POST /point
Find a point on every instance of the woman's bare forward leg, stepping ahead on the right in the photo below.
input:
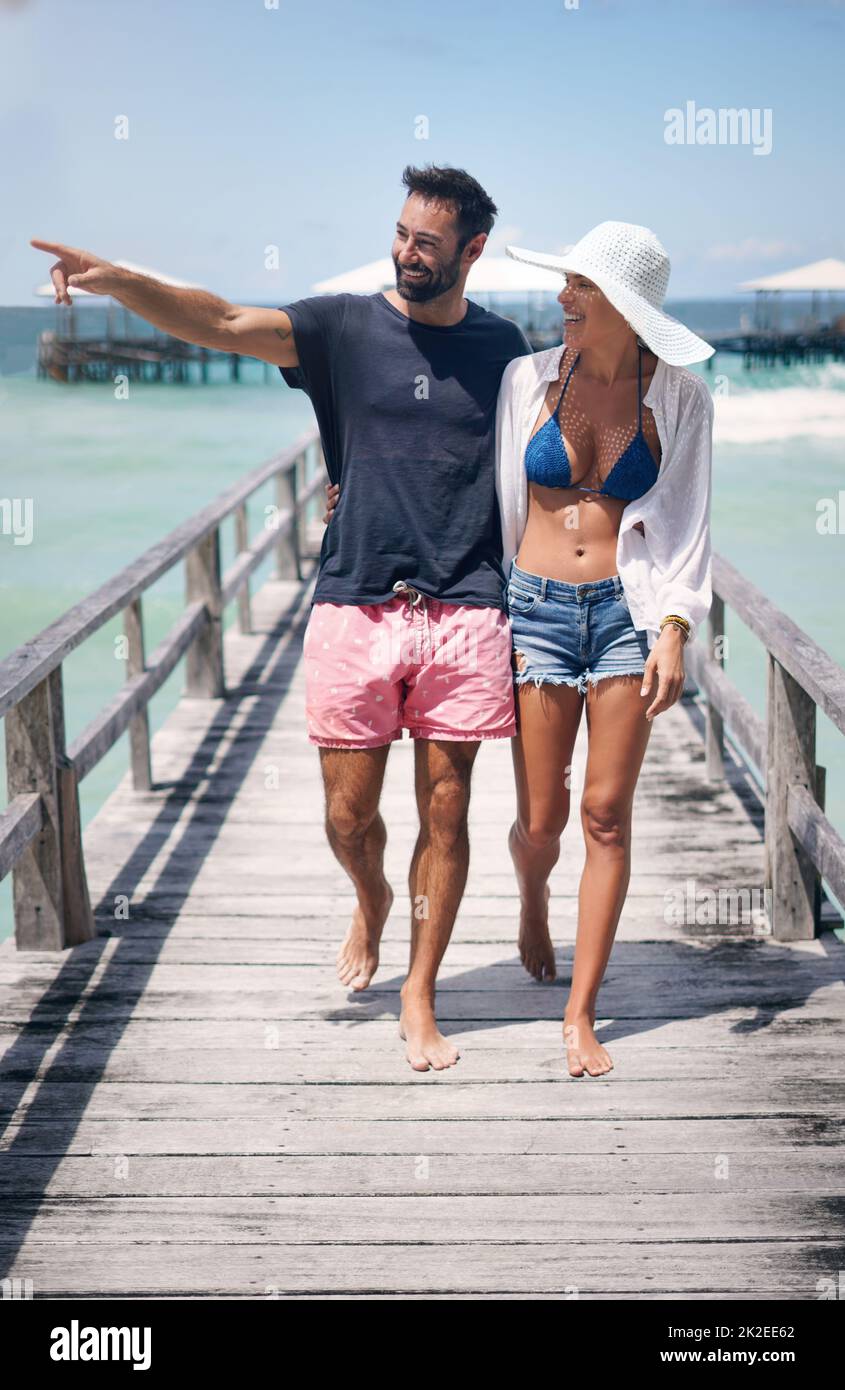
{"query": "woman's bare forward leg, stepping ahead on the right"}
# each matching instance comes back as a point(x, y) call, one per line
point(619, 735)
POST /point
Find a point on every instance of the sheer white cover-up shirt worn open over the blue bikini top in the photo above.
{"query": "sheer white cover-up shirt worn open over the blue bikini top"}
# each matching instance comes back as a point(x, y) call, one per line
point(669, 568)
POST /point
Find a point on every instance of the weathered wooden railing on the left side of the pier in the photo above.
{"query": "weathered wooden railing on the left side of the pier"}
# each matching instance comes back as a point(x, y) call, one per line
point(41, 839)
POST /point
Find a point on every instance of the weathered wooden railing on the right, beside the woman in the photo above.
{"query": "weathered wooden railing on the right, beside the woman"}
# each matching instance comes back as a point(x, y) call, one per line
point(801, 846)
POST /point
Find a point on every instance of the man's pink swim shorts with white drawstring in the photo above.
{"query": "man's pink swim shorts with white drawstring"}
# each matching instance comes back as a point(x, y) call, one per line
point(441, 671)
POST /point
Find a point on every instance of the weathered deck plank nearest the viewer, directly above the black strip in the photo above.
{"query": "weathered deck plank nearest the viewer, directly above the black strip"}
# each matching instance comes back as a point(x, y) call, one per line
point(249, 1271)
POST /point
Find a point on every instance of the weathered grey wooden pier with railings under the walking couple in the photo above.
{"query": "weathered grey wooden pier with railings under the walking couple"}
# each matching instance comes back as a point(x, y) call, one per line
point(195, 1107)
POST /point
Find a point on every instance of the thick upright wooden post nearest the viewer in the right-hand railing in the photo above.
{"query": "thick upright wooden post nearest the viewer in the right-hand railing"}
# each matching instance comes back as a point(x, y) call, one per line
point(791, 760)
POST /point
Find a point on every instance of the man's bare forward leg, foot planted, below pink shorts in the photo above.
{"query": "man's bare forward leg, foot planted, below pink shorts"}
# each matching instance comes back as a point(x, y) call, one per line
point(437, 881)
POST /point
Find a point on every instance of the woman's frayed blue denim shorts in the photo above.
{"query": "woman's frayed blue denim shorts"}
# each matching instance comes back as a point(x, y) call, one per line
point(572, 635)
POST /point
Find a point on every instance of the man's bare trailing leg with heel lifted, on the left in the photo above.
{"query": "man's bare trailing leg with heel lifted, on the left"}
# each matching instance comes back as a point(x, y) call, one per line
point(352, 779)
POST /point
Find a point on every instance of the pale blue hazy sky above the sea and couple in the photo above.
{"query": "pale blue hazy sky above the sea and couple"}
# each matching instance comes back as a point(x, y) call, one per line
point(256, 126)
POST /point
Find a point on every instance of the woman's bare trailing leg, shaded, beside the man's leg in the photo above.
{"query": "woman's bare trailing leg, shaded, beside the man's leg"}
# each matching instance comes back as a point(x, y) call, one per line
point(543, 755)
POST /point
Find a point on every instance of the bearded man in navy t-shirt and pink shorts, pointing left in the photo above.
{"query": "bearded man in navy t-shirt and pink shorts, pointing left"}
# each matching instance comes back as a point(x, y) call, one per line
point(408, 625)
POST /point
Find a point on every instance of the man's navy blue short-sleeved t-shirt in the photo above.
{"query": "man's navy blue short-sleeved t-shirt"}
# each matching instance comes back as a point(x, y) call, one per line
point(407, 418)
